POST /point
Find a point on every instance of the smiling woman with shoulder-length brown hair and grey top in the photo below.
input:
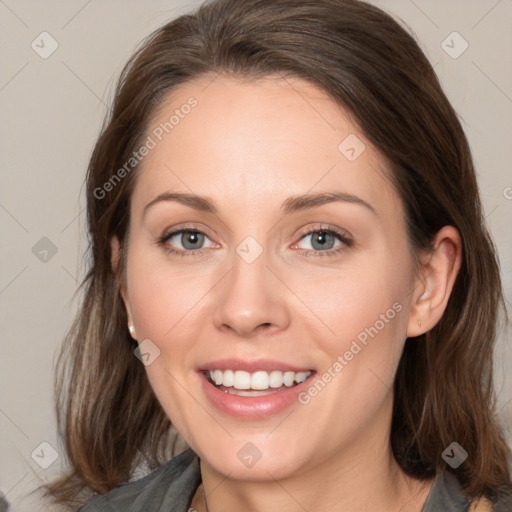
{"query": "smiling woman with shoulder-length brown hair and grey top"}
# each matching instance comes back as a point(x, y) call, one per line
point(289, 265)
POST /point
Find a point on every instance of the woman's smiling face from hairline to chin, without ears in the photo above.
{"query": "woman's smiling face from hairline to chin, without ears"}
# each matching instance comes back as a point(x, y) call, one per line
point(253, 297)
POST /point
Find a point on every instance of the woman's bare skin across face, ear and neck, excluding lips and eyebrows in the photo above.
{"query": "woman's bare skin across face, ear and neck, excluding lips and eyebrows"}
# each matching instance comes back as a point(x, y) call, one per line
point(249, 145)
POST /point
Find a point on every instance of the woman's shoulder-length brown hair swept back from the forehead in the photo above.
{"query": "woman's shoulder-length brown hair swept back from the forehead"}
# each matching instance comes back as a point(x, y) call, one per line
point(108, 415)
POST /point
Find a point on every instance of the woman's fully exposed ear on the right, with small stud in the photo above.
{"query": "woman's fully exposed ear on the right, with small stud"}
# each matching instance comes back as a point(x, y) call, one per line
point(439, 269)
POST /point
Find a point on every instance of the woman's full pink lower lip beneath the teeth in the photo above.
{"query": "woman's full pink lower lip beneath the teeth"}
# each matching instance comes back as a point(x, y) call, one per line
point(252, 407)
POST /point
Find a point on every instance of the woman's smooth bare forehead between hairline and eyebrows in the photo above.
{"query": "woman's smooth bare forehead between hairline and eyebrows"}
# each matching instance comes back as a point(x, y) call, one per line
point(252, 141)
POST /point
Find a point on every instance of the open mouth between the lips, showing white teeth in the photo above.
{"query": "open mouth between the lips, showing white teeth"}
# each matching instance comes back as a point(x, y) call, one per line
point(259, 383)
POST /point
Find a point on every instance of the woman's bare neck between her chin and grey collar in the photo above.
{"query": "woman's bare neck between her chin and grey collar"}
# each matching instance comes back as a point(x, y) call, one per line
point(360, 483)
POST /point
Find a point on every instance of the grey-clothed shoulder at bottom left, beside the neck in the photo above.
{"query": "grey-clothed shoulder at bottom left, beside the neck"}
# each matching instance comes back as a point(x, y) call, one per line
point(169, 487)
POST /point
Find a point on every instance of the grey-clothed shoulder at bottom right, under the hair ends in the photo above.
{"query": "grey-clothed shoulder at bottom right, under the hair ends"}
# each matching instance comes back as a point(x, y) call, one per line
point(447, 495)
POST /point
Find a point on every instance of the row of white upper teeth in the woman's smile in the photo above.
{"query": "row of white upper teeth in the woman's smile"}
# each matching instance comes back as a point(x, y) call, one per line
point(259, 380)
